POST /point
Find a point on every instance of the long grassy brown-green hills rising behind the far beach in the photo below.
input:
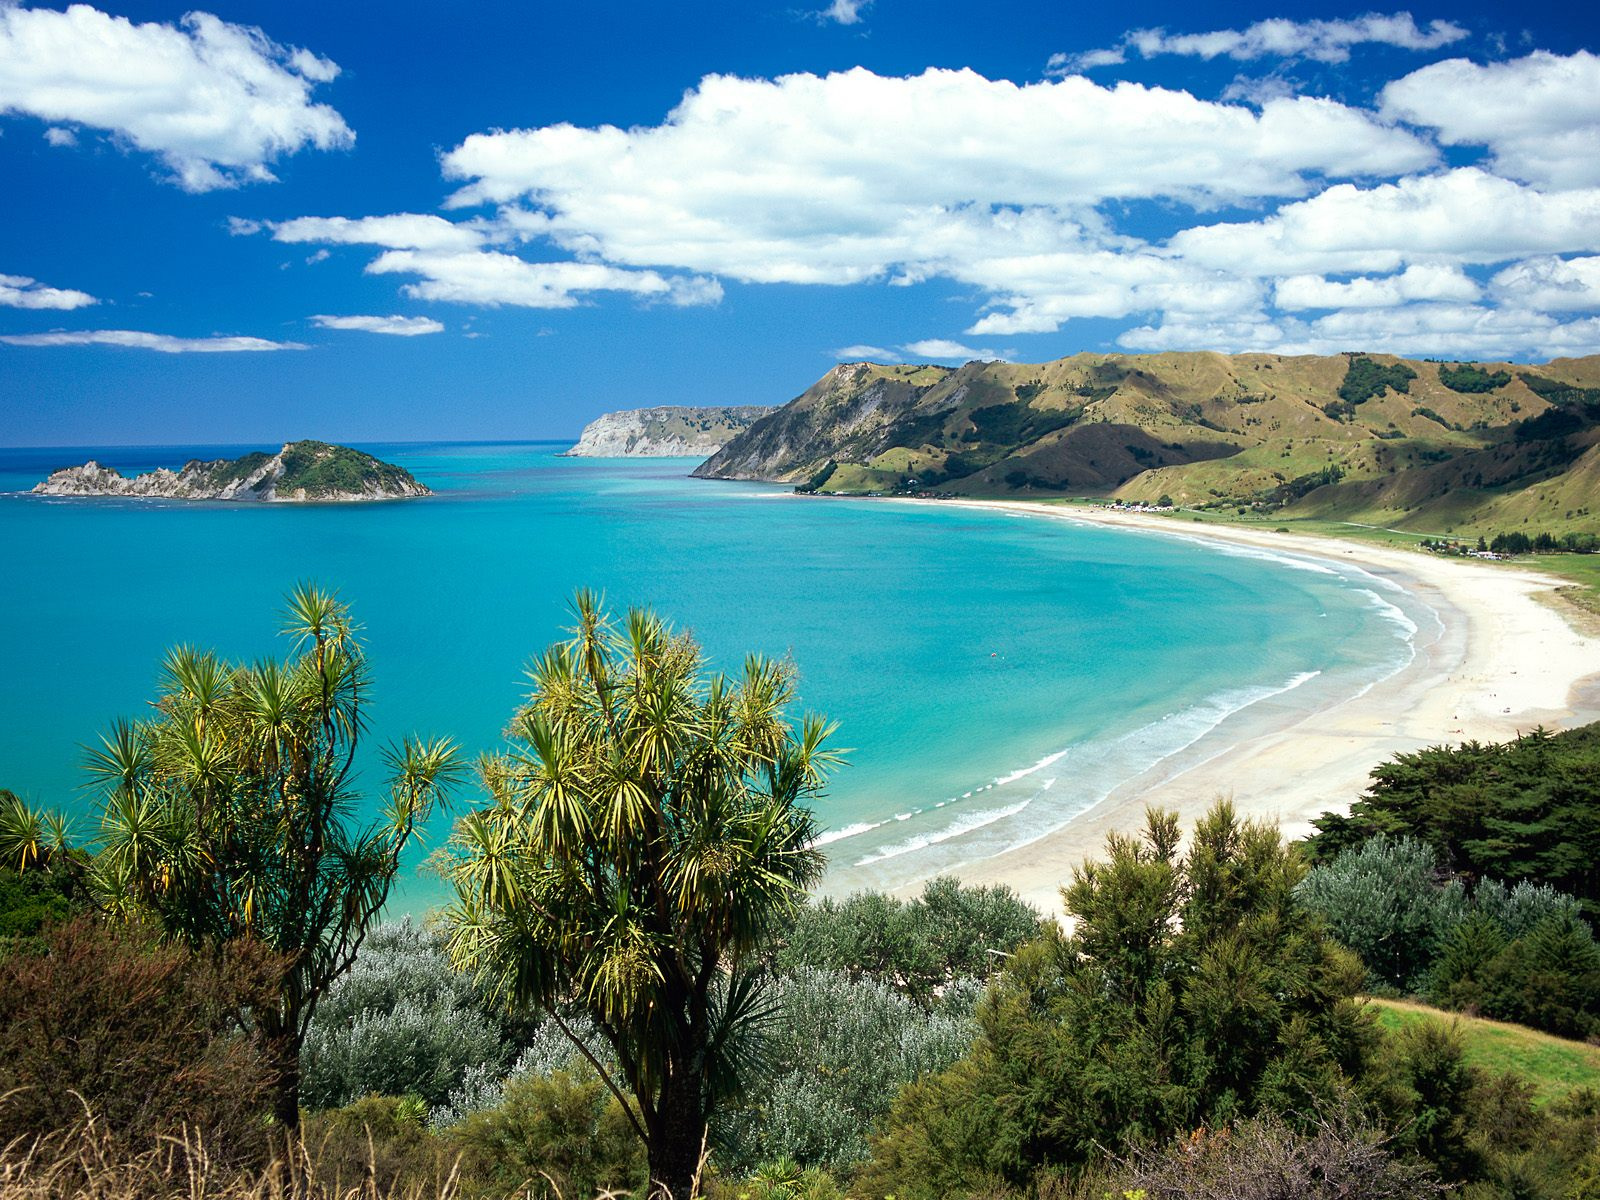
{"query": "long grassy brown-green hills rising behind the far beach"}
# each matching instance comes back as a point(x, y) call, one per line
point(1369, 438)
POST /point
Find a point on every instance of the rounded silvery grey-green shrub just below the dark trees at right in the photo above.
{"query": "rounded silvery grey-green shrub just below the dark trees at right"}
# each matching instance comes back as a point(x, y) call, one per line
point(1393, 903)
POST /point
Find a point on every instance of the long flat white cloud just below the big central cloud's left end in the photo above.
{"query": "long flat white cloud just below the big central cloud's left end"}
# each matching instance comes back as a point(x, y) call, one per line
point(492, 278)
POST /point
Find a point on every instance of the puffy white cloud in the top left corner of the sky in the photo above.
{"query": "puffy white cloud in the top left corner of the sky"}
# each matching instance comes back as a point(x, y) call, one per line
point(215, 102)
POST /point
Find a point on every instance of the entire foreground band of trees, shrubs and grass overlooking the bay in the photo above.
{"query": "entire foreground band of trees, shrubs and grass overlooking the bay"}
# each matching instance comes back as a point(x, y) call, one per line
point(633, 991)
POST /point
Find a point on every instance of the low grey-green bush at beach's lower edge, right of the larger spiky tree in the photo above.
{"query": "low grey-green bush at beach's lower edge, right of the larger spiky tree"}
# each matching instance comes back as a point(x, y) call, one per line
point(914, 946)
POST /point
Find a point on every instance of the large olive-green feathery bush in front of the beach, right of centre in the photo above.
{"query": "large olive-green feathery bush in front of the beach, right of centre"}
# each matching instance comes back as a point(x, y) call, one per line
point(1191, 991)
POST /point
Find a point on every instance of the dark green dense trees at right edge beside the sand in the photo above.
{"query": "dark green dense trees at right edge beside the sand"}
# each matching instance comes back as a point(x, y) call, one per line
point(1522, 810)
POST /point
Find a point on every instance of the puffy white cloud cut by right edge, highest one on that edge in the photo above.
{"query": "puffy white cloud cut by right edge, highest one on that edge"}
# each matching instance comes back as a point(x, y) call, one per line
point(1540, 116)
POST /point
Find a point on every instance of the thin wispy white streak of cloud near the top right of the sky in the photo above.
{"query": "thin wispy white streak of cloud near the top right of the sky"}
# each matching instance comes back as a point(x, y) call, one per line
point(1278, 38)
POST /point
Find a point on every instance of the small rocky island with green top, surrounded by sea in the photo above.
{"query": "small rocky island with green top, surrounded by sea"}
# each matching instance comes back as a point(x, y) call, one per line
point(302, 471)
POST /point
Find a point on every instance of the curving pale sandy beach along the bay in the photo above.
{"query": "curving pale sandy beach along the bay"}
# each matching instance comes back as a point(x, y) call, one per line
point(1502, 662)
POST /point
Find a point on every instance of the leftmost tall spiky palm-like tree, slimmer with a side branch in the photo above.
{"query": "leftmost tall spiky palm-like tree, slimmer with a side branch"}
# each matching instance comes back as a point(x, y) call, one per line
point(231, 814)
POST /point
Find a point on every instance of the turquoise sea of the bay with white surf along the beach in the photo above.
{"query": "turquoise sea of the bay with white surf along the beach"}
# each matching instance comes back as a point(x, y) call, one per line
point(991, 674)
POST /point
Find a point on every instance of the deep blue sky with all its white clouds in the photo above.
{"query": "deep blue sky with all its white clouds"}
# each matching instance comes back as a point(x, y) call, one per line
point(255, 222)
